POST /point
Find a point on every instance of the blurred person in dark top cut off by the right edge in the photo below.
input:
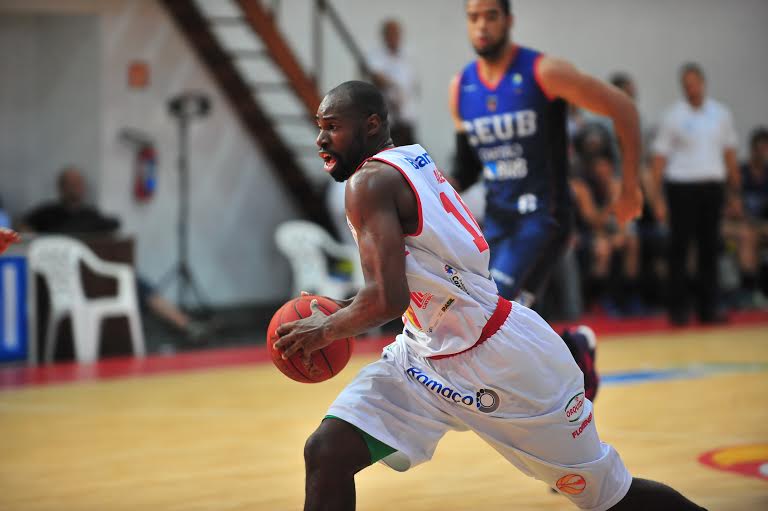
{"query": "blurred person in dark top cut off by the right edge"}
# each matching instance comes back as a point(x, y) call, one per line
point(747, 225)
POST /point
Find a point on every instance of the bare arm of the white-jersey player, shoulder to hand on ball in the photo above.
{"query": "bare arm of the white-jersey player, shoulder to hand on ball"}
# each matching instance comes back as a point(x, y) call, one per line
point(376, 202)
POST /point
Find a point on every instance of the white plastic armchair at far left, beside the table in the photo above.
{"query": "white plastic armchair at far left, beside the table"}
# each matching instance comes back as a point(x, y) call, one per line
point(57, 259)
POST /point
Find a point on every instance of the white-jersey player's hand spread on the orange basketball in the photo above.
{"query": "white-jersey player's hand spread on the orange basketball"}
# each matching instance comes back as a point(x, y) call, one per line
point(304, 335)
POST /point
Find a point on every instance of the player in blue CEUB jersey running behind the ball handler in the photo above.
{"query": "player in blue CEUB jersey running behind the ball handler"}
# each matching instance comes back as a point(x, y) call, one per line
point(509, 111)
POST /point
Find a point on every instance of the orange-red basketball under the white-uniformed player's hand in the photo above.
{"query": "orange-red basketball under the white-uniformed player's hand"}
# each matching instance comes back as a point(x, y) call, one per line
point(331, 359)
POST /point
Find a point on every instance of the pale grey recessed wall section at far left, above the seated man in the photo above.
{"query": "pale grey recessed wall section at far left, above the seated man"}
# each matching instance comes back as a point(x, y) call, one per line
point(49, 104)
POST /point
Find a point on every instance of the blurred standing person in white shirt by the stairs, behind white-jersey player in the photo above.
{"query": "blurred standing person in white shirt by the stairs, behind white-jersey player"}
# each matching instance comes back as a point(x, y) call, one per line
point(393, 74)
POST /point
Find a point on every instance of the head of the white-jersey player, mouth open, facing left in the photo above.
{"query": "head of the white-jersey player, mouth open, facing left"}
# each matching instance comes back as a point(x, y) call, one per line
point(353, 126)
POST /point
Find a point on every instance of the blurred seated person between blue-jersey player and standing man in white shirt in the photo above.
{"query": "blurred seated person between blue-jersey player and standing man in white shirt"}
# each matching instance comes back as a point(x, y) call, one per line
point(609, 255)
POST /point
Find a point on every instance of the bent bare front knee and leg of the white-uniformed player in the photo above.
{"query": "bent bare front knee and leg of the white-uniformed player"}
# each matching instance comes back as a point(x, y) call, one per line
point(333, 454)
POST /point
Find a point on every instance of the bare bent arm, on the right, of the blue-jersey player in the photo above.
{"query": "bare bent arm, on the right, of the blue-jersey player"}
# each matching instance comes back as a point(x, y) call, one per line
point(560, 78)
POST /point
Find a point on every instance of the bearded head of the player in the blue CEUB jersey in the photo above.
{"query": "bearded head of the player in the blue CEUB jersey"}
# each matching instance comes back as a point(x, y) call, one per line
point(488, 24)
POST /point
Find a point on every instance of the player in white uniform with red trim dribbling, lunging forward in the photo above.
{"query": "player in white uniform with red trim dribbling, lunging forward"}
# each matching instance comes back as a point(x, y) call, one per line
point(467, 359)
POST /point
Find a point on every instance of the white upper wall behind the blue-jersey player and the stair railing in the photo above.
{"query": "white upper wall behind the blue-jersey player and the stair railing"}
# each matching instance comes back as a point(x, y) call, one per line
point(649, 39)
